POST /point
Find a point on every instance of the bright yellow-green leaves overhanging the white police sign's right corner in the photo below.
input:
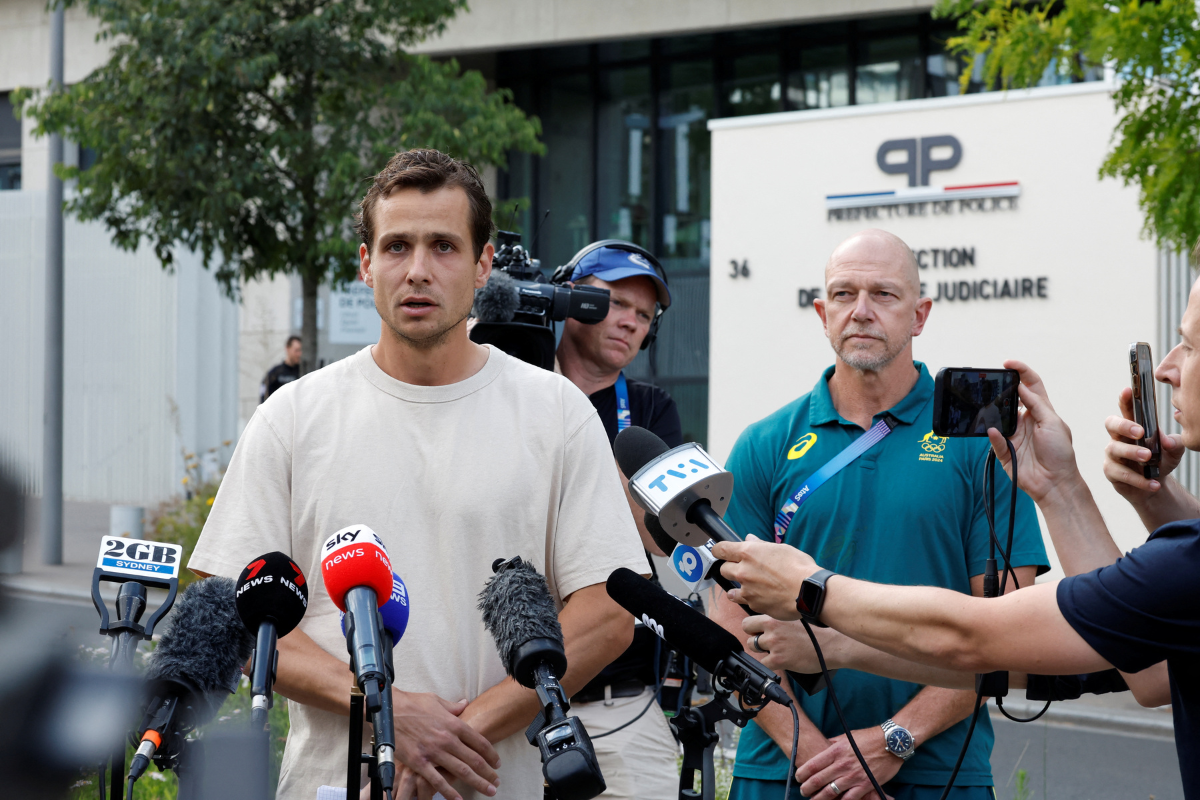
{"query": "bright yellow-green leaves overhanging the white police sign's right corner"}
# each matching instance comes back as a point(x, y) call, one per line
point(1154, 50)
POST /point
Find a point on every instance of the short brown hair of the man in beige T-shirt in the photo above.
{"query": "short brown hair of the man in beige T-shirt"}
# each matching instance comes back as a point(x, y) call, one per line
point(428, 171)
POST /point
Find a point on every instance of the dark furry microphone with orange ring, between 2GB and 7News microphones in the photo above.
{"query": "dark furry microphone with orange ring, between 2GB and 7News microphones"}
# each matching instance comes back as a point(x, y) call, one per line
point(195, 666)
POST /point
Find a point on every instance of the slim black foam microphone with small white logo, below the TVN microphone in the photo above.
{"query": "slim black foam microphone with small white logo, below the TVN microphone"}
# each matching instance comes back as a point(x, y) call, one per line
point(697, 636)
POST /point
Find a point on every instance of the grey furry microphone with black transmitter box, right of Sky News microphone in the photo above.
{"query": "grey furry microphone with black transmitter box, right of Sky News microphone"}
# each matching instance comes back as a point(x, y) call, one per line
point(520, 615)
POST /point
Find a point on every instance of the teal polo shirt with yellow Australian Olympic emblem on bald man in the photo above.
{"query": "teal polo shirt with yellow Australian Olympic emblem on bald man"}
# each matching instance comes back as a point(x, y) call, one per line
point(909, 512)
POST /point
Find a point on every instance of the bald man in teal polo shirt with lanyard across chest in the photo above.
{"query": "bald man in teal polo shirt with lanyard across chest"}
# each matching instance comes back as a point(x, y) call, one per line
point(910, 512)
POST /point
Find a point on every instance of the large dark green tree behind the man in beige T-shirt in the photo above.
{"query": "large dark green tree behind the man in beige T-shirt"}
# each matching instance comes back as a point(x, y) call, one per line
point(244, 129)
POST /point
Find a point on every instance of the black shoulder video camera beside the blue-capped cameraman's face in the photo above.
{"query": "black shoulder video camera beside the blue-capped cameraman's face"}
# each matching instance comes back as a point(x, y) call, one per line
point(518, 309)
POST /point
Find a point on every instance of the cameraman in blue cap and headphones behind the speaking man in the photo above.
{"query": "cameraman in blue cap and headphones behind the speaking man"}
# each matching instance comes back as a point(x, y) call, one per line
point(640, 760)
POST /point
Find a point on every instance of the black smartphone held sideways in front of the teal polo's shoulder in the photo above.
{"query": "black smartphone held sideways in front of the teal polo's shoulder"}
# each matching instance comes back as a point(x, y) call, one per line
point(969, 401)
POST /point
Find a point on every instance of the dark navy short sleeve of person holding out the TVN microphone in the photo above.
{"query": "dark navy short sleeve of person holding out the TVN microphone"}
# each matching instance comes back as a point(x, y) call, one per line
point(1147, 606)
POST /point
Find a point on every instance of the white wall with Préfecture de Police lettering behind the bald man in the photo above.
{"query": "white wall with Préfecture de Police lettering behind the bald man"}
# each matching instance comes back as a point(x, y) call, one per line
point(771, 176)
